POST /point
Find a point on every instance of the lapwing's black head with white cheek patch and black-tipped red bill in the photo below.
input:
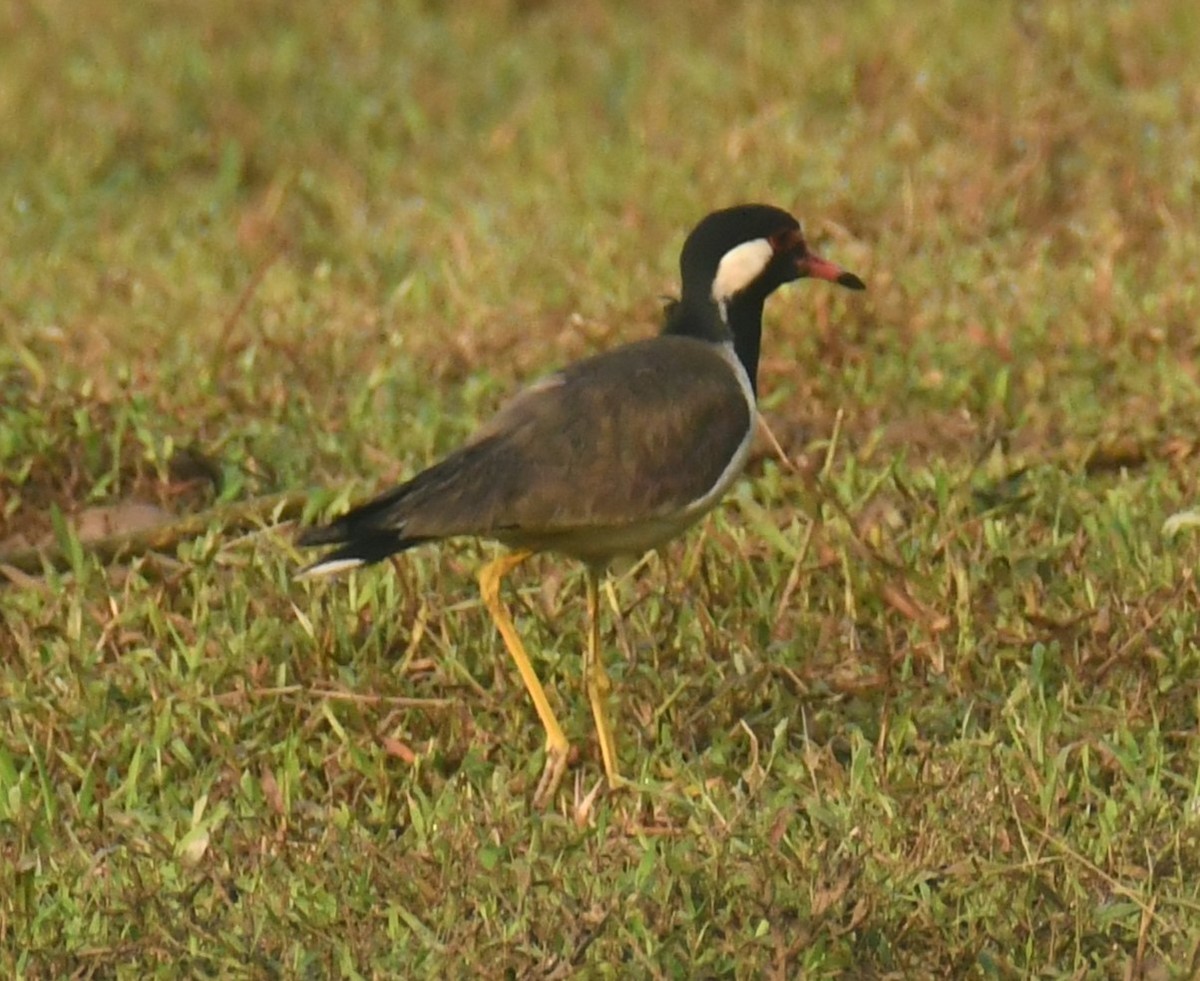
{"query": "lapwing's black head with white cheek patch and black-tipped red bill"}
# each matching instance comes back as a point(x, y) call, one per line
point(751, 249)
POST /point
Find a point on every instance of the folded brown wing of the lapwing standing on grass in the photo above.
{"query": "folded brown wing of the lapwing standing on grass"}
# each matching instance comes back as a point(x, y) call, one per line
point(635, 434)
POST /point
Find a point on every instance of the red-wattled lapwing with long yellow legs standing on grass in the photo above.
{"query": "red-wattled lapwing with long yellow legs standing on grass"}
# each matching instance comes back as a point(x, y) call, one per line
point(610, 458)
